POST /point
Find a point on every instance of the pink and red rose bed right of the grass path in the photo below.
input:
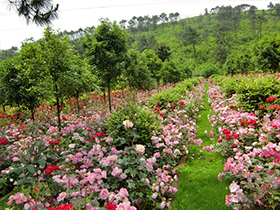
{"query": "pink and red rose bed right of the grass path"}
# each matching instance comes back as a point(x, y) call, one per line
point(249, 141)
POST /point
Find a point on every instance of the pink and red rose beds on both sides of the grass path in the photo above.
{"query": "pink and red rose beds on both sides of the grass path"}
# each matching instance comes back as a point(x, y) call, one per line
point(128, 159)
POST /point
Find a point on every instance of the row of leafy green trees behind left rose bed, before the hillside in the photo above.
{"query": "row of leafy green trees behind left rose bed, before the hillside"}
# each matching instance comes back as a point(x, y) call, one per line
point(49, 70)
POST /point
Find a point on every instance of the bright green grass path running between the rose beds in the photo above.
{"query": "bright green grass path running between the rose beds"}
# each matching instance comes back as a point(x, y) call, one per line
point(199, 187)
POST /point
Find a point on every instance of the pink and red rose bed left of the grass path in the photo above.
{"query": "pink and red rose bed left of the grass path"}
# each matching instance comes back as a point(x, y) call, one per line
point(123, 160)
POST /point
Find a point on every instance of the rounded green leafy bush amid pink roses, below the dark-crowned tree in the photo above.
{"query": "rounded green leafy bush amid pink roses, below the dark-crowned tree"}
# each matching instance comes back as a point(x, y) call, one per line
point(144, 124)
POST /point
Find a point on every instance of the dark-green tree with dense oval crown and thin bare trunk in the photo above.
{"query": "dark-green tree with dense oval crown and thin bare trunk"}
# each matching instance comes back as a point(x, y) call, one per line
point(106, 50)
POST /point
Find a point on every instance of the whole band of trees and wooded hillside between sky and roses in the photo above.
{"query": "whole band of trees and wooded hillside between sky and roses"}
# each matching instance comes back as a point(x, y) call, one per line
point(68, 64)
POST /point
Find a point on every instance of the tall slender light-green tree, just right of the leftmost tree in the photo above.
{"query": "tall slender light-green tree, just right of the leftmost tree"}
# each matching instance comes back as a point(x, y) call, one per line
point(58, 59)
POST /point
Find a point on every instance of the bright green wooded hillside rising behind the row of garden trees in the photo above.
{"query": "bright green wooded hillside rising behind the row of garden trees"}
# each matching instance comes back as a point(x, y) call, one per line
point(229, 38)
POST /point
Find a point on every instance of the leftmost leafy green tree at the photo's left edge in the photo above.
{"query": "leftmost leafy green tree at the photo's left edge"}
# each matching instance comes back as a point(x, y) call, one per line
point(22, 78)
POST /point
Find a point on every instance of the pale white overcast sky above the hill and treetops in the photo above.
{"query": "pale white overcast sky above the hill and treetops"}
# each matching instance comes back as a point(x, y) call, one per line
point(75, 14)
